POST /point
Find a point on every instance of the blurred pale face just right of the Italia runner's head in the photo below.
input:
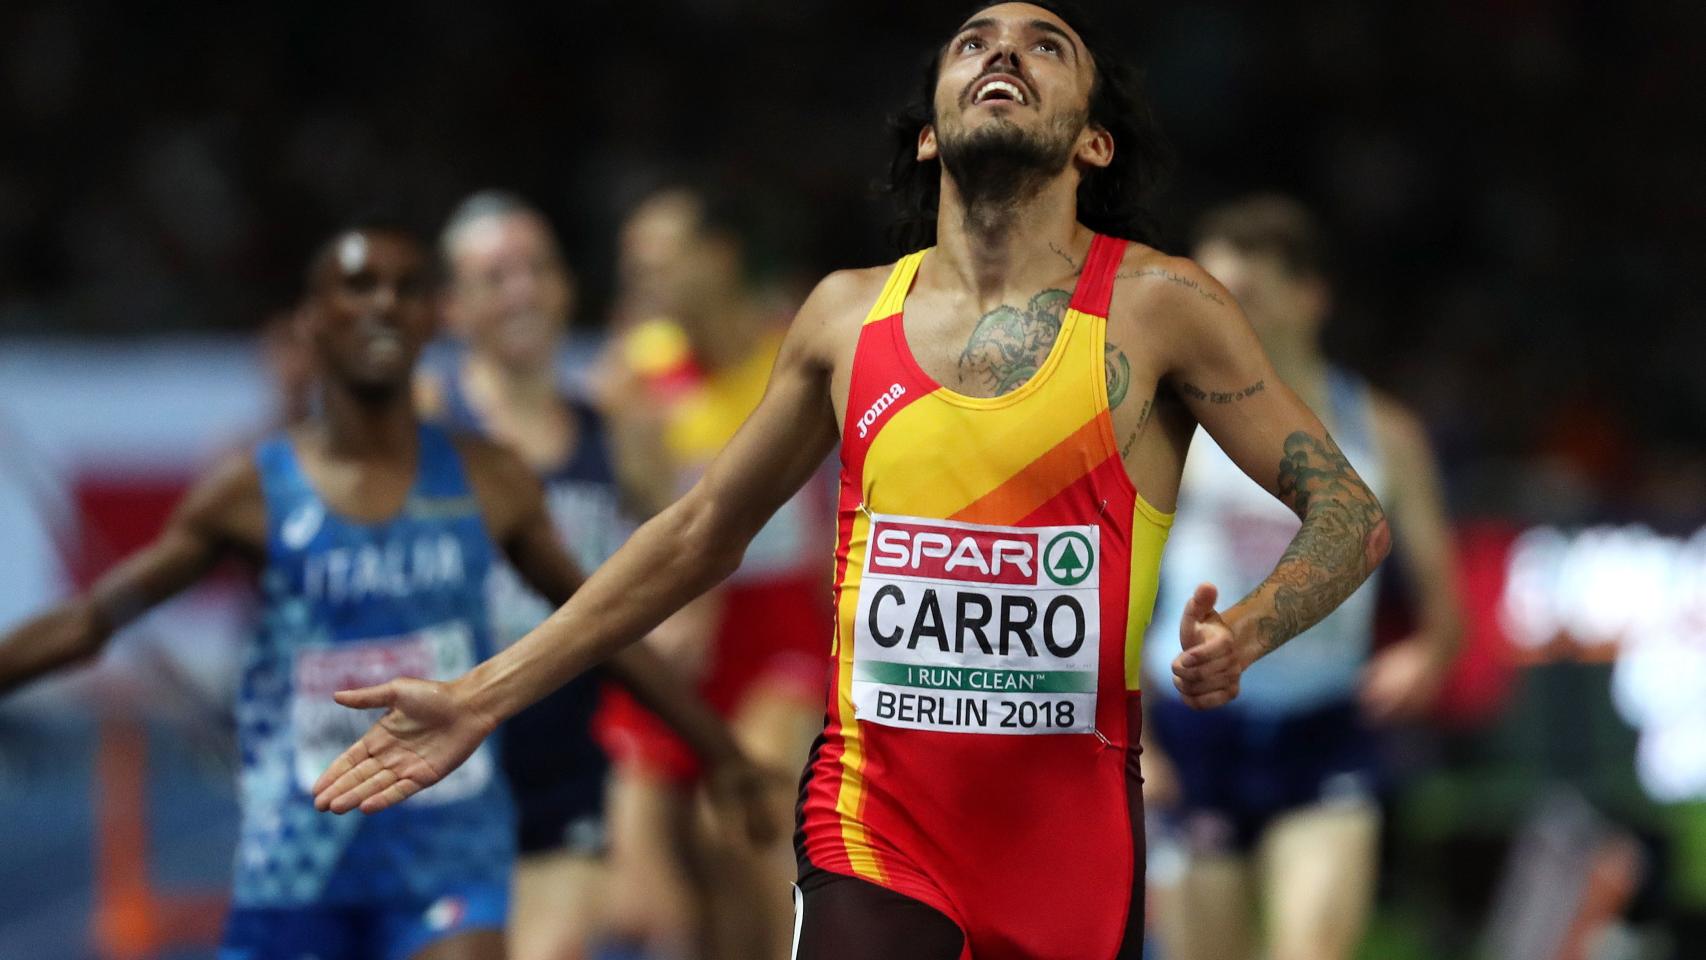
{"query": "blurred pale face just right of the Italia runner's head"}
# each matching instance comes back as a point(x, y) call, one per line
point(511, 292)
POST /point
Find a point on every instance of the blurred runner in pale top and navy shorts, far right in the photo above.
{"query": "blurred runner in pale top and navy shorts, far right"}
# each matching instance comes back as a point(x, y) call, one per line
point(1274, 799)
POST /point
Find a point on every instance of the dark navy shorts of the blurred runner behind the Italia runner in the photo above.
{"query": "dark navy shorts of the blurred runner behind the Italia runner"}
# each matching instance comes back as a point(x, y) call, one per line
point(557, 773)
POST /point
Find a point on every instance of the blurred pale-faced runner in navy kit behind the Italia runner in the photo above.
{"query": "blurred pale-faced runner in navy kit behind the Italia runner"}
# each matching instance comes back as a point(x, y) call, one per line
point(509, 299)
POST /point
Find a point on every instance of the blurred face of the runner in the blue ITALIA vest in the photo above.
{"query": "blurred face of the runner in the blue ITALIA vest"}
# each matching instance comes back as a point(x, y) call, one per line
point(369, 311)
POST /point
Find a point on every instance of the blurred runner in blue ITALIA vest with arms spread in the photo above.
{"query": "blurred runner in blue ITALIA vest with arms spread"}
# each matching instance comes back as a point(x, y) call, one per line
point(371, 536)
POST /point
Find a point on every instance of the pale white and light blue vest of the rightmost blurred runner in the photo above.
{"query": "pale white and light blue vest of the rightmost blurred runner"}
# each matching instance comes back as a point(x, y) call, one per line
point(1231, 533)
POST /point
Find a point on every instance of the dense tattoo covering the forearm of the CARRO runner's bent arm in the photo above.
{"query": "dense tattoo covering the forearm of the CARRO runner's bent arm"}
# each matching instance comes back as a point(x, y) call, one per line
point(1343, 538)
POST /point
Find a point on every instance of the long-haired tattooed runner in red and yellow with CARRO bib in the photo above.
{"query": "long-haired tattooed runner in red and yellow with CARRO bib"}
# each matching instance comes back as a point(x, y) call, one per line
point(1014, 407)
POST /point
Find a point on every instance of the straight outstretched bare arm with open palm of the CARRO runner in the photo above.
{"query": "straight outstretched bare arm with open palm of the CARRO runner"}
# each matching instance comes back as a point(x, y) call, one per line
point(673, 558)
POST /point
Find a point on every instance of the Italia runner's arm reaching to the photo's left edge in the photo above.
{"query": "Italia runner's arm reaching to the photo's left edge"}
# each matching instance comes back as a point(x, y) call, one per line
point(204, 526)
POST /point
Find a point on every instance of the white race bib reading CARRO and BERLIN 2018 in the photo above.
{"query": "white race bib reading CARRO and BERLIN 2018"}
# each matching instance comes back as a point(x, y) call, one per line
point(966, 628)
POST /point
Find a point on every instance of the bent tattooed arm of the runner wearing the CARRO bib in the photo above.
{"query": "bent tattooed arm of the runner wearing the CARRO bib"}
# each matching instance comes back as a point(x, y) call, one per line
point(1224, 378)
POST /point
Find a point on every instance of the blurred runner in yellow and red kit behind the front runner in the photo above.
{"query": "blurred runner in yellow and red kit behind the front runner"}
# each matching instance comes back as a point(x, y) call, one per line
point(760, 635)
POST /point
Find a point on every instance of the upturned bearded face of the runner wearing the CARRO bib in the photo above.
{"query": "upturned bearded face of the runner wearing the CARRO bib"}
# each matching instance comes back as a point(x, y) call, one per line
point(1013, 69)
